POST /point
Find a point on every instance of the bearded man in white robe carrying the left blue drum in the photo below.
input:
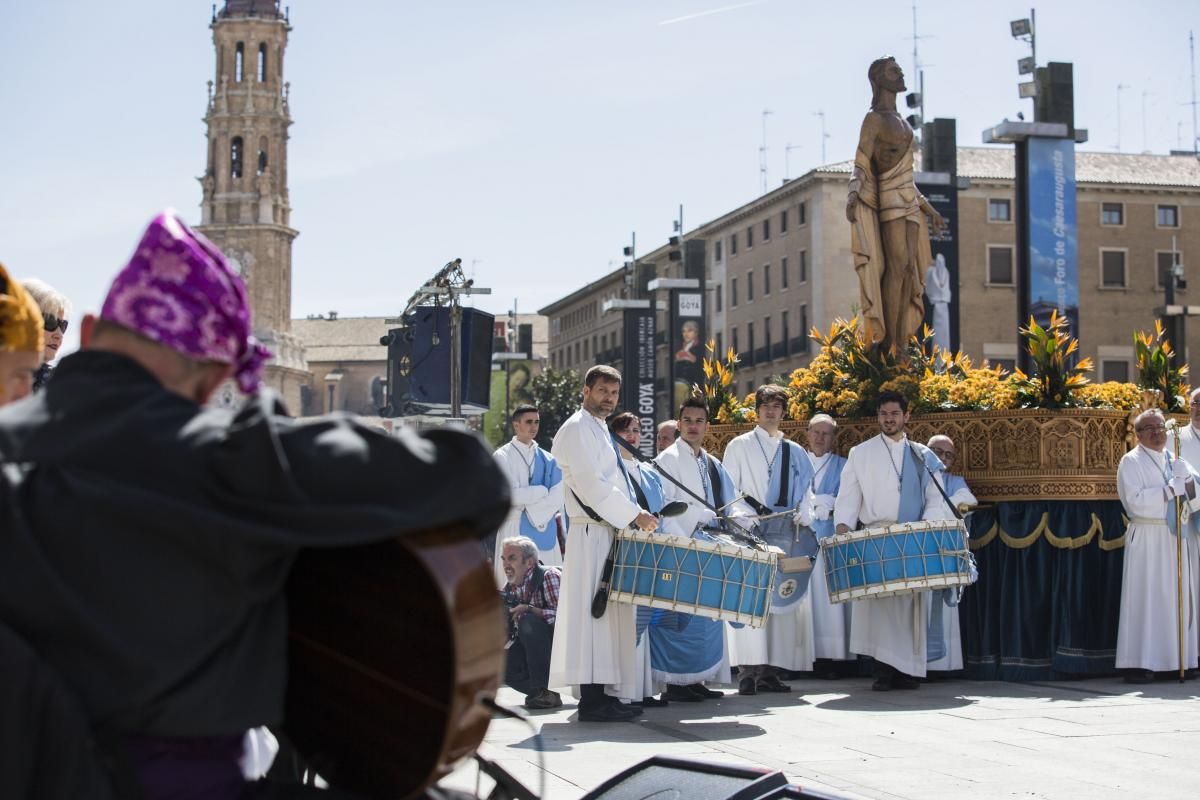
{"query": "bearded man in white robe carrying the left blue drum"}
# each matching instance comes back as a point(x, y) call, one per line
point(590, 653)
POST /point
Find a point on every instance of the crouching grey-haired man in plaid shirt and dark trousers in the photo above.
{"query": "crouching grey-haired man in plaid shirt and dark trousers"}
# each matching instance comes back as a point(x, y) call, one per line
point(531, 598)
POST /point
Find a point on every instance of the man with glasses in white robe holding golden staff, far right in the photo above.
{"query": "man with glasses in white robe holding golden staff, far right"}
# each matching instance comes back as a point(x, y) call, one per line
point(1150, 480)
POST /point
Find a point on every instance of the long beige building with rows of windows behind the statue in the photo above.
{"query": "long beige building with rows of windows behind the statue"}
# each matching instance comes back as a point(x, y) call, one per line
point(782, 264)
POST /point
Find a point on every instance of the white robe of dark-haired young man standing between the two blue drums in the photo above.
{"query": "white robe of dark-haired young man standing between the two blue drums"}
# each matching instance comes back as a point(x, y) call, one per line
point(787, 640)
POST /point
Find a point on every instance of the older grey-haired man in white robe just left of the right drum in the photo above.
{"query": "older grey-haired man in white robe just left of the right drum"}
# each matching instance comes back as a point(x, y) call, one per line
point(831, 622)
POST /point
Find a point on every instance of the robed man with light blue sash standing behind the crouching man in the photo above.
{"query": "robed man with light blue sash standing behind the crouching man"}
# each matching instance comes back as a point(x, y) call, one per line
point(537, 492)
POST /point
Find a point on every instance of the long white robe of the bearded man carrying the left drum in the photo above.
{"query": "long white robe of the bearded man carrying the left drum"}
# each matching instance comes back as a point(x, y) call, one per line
point(589, 651)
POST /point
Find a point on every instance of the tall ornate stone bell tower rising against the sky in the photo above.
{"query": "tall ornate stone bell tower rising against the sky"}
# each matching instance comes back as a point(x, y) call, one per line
point(245, 208)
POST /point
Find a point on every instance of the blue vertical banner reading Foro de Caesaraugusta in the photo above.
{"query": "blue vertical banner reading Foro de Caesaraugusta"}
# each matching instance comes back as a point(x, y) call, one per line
point(1054, 234)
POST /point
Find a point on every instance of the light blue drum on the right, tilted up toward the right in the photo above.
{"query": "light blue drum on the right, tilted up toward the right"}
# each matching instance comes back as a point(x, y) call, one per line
point(899, 560)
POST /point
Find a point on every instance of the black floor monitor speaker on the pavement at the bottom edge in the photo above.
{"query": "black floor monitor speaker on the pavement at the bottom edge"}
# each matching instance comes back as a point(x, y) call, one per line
point(680, 779)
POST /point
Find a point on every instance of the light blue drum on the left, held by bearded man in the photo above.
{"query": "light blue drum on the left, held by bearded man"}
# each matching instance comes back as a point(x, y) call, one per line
point(709, 579)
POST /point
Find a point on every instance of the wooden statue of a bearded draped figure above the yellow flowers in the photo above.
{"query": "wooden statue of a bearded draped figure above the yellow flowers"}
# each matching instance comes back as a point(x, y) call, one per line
point(890, 237)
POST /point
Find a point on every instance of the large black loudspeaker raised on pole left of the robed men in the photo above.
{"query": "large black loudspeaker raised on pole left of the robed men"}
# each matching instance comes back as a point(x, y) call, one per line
point(419, 363)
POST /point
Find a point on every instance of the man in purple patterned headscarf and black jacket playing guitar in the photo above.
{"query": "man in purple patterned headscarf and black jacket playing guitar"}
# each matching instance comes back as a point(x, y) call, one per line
point(148, 539)
